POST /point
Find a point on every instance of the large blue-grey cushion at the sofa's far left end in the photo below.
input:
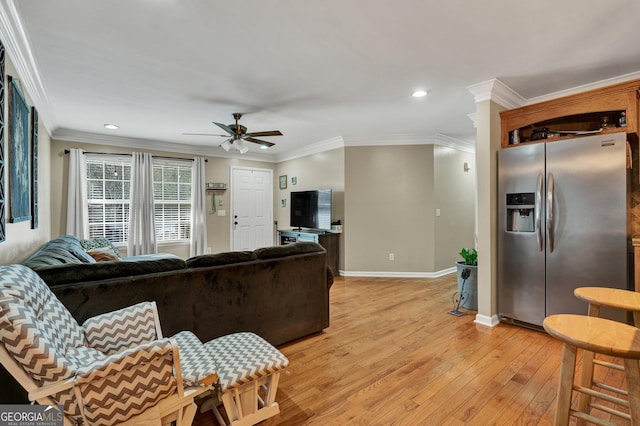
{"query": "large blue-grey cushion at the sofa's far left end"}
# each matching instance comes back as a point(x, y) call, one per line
point(59, 251)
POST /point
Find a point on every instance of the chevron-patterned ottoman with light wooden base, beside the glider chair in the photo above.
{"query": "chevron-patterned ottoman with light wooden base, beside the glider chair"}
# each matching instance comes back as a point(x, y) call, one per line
point(248, 373)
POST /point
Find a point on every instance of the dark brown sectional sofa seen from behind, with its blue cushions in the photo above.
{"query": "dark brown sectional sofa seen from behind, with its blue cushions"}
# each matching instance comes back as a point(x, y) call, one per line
point(280, 293)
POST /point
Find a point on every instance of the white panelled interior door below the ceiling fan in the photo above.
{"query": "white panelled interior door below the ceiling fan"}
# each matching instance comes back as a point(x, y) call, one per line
point(252, 208)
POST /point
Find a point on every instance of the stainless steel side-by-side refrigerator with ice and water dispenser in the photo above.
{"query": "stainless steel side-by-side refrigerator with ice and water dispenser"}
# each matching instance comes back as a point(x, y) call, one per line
point(562, 217)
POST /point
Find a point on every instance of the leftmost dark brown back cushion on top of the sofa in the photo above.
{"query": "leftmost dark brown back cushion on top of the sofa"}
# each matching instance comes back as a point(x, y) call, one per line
point(64, 274)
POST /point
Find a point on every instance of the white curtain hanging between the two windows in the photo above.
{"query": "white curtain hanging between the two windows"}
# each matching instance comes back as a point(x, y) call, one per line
point(142, 234)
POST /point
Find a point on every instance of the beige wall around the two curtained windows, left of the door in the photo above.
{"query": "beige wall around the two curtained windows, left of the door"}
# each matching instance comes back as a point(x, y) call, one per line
point(217, 170)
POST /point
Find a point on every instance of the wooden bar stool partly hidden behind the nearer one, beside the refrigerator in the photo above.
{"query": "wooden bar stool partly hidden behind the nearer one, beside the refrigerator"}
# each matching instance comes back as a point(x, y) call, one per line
point(598, 297)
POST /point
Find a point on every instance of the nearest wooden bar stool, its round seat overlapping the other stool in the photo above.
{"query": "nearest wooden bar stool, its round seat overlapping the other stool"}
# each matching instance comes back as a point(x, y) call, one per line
point(600, 336)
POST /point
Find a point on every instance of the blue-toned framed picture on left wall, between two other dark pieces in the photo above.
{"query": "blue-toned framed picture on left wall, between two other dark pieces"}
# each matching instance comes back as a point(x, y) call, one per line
point(19, 159)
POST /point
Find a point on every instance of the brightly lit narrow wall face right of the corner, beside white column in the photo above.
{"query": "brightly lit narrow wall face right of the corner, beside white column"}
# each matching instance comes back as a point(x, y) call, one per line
point(454, 195)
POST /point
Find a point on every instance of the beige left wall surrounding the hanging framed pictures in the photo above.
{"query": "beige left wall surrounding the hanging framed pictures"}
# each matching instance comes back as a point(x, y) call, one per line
point(21, 240)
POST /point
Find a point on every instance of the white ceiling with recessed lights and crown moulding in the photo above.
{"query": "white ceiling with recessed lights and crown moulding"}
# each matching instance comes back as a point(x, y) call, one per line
point(319, 71)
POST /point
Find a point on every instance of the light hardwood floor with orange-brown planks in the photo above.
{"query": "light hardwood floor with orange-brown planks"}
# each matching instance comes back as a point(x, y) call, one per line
point(393, 355)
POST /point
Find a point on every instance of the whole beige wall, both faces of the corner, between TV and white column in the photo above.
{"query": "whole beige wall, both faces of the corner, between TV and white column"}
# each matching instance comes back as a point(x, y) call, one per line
point(391, 193)
